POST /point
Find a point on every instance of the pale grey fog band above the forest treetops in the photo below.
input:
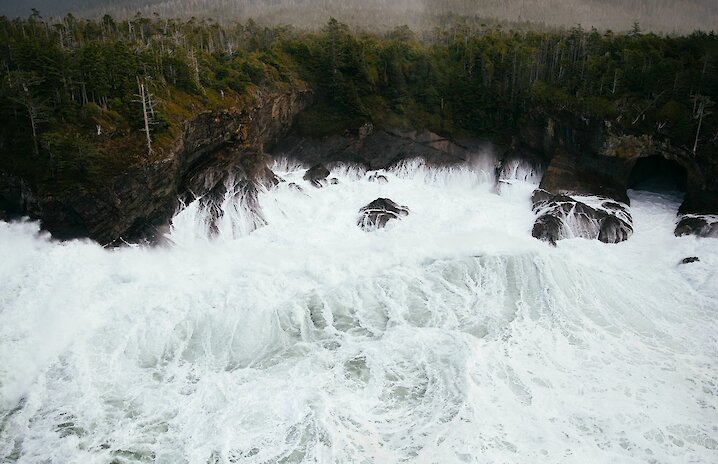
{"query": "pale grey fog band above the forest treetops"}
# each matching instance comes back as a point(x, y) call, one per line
point(669, 16)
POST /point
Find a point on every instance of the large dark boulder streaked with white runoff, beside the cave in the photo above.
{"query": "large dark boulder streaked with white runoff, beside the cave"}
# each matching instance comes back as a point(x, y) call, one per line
point(560, 216)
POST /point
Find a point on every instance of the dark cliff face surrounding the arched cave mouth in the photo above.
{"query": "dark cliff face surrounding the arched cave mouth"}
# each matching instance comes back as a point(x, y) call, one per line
point(589, 157)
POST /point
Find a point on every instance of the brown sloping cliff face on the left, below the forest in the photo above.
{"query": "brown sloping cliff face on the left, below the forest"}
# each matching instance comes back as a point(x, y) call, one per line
point(139, 203)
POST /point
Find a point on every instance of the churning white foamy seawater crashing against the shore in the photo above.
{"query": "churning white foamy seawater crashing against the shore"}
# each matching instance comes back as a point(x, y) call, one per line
point(292, 336)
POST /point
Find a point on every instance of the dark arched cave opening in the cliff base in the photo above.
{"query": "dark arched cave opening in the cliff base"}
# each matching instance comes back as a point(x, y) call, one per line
point(658, 174)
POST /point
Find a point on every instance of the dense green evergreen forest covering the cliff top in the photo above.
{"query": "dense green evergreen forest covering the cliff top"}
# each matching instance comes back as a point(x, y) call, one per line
point(77, 95)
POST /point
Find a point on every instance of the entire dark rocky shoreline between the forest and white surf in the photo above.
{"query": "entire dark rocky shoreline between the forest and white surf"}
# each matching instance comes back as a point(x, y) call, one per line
point(578, 157)
